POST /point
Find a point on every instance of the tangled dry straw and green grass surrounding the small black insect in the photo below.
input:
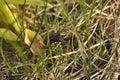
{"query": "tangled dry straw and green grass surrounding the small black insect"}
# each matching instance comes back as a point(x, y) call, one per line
point(91, 51)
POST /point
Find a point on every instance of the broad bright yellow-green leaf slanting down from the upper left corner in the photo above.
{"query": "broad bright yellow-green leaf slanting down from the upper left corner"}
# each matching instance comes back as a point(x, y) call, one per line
point(7, 17)
